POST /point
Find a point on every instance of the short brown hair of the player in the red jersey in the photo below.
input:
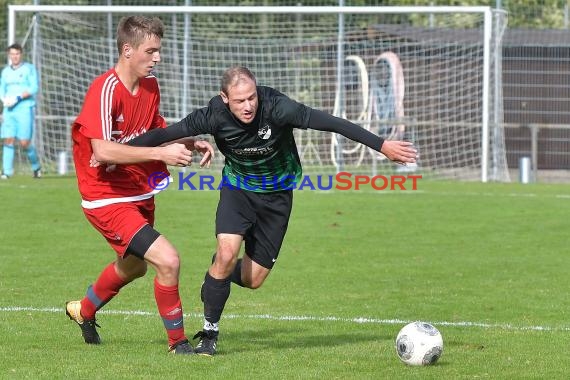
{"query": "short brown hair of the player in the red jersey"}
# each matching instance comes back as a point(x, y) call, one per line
point(133, 29)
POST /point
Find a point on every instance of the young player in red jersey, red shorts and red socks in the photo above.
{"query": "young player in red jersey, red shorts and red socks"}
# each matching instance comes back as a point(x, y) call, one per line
point(115, 179)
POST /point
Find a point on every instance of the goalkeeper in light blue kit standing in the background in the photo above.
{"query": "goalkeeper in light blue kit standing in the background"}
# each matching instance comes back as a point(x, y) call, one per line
point(18, 88)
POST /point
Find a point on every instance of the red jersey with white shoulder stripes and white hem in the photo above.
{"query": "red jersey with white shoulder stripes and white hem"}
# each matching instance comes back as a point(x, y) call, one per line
point(111, 112)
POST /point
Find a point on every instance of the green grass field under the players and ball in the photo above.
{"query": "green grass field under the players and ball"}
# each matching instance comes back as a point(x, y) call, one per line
point(485, 263)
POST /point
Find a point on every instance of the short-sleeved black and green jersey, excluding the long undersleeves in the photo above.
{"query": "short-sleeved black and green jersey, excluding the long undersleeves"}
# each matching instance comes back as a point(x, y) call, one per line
point(261, 156)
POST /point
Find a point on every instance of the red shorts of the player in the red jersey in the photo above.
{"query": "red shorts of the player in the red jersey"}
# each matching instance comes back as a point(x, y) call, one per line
point(119, 222)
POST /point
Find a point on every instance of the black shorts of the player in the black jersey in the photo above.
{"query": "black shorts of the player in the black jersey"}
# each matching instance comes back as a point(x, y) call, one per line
point(261, 218)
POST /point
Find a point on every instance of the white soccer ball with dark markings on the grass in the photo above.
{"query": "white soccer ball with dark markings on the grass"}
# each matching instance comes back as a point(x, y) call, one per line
point(419, 343)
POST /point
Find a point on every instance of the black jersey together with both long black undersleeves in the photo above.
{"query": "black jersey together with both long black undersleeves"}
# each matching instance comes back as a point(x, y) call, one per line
point(260, 156)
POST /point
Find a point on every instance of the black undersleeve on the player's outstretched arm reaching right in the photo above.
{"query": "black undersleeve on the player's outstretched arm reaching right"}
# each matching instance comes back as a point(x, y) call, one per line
point(323, 121)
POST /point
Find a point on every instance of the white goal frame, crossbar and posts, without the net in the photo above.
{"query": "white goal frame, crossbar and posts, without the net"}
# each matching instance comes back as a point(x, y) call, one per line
point(13, 10)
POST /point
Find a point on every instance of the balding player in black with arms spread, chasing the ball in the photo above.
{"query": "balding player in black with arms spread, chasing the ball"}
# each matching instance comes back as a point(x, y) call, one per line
point(253, 128)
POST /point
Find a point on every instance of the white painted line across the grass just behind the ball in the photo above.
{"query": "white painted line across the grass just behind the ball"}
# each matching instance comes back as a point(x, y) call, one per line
point(359, 320)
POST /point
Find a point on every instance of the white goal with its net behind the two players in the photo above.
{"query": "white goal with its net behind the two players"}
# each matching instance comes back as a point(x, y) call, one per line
point(430, 75)
